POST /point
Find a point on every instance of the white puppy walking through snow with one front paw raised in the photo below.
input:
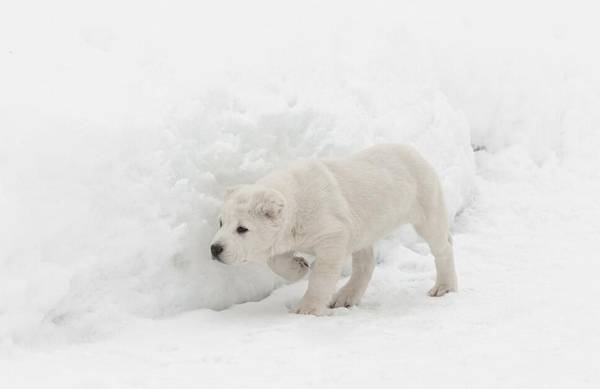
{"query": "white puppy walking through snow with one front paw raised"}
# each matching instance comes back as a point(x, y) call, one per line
point(334, 209)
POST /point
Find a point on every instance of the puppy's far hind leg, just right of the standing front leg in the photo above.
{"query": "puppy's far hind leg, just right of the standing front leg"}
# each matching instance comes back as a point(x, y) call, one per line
point(363, 263)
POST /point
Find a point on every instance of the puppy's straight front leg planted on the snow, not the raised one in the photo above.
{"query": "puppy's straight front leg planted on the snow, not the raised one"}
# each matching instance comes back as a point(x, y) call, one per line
point(324, 274)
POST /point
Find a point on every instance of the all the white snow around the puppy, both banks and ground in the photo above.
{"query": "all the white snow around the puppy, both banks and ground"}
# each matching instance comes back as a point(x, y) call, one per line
point(123, 123)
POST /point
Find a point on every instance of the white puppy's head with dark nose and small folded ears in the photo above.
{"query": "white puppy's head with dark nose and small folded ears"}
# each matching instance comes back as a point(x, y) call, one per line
point(249, 222)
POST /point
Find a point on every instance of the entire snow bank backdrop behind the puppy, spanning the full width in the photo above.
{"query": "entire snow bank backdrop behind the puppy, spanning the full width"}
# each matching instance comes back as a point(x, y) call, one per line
point(122, 123)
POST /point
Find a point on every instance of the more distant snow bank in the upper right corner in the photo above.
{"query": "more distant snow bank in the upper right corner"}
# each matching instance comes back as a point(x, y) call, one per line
point(525, 73)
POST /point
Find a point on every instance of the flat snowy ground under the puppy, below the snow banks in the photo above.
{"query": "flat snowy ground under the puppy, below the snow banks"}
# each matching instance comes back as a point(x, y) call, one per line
point(527, 314)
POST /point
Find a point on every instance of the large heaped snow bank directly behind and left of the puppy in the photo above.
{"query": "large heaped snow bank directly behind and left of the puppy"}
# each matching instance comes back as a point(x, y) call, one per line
point(124, 124)
